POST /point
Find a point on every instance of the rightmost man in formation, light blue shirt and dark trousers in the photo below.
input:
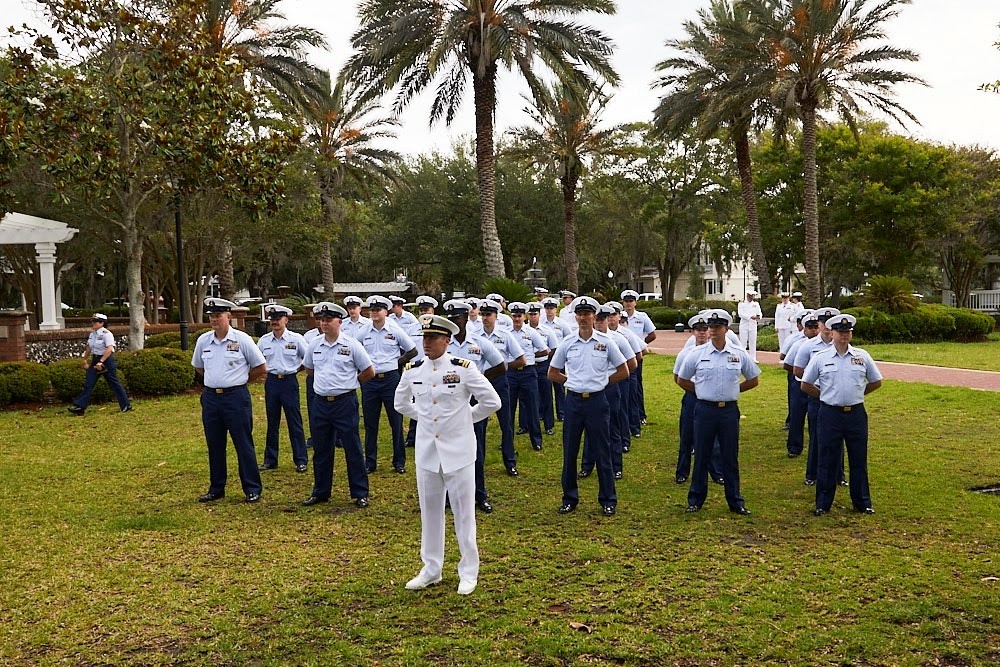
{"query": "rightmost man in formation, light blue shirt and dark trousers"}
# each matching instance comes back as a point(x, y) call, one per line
point(840, 377)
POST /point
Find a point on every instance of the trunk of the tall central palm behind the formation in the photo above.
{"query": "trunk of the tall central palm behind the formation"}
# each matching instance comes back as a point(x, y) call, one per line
point(485, 97)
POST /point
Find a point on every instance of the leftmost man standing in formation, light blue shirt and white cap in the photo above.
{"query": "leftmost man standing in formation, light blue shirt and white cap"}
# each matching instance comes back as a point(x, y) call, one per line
point(227, 359)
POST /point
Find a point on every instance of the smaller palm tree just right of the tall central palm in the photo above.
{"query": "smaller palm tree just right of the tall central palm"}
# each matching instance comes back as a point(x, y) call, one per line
point(564, 135)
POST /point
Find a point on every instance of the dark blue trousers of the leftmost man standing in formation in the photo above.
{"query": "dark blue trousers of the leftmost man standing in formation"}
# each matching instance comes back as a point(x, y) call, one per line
point(230, 414)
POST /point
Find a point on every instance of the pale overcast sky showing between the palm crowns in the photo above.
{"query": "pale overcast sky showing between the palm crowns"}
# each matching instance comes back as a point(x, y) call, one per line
point(954, 38)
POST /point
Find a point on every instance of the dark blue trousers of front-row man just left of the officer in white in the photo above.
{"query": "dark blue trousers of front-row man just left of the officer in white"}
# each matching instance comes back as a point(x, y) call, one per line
point(337, 421)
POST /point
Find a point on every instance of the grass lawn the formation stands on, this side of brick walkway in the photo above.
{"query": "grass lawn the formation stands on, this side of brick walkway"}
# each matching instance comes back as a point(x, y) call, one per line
point(106, 558)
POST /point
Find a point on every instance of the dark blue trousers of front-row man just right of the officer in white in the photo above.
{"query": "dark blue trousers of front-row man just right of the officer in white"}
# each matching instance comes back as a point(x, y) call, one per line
point(591, 416)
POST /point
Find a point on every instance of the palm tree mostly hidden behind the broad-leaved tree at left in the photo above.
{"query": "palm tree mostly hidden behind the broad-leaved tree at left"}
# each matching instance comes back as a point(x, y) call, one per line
point(273, 55)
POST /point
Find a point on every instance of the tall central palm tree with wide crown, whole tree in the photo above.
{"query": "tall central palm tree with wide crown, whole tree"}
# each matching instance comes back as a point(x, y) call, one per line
point(411, 43)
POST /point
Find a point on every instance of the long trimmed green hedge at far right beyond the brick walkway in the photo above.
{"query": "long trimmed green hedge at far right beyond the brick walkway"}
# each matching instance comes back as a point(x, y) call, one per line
point(928, 323)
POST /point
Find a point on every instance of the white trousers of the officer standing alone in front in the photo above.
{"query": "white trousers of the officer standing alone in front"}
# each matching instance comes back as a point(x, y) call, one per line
point(460, 486)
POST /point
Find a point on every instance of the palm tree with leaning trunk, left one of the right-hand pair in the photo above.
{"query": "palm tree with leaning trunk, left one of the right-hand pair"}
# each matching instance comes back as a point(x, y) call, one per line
point(721, 81)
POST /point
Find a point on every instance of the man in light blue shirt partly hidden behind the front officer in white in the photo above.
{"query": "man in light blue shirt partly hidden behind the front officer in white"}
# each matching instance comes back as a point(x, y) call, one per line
point(489, 361)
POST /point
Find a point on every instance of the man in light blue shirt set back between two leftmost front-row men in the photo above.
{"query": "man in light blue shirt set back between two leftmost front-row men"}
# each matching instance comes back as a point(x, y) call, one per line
point(284, 351)
